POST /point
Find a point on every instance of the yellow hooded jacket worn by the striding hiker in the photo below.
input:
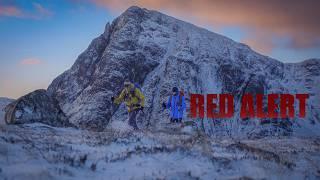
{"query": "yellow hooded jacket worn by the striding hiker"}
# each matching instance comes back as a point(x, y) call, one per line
point(132, 97)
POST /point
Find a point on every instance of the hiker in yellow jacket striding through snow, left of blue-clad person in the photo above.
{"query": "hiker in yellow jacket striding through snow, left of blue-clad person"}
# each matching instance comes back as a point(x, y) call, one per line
point(134, 100)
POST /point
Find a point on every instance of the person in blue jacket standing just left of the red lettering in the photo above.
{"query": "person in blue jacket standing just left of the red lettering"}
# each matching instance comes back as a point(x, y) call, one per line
point(176, 104)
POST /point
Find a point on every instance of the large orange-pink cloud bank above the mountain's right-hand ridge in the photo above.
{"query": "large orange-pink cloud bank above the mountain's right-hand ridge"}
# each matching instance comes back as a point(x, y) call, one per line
point(294, 19)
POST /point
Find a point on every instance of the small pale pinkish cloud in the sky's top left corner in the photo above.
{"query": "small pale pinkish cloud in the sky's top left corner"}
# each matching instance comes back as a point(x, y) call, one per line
point(37, 12)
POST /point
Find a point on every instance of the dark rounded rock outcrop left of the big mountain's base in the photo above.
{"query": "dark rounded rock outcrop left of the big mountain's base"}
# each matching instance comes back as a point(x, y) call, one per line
point(36, 106)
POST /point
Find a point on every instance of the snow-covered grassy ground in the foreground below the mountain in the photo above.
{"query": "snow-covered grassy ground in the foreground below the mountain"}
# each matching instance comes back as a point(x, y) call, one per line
point(38, 151)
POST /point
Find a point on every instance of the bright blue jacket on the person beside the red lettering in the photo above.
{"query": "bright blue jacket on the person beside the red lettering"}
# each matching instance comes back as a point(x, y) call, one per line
point(176, 110)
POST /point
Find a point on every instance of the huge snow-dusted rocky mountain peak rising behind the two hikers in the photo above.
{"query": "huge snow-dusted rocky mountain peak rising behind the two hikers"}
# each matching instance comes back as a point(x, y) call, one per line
point(159, 52)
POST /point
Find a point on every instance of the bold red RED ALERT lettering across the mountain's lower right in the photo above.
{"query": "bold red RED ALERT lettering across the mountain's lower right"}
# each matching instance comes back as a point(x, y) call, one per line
point(252, 106)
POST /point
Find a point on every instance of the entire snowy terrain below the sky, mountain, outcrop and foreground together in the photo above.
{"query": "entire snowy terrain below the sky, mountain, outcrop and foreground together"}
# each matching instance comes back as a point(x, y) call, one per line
point(73, 131)
